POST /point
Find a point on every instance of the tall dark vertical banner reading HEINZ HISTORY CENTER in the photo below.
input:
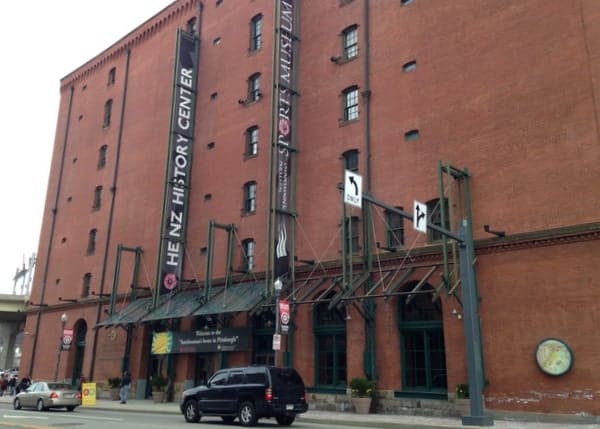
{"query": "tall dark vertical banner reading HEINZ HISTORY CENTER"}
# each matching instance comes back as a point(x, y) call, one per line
point(181, 136)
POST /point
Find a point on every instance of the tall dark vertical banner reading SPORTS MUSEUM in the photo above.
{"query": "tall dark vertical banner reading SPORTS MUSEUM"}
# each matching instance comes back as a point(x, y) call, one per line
point(283, 120)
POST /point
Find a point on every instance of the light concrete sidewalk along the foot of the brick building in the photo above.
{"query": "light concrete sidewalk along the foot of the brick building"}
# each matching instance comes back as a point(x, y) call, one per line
point(501, 421)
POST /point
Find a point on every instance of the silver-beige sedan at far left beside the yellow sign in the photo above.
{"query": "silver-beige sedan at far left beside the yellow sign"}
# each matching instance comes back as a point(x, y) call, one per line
point(44, 395)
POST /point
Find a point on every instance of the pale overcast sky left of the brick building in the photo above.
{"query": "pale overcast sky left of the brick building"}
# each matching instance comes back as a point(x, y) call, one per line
point(43, 41)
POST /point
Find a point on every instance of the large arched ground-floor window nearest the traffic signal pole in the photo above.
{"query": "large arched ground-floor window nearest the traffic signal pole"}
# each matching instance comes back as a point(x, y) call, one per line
point(422, 348)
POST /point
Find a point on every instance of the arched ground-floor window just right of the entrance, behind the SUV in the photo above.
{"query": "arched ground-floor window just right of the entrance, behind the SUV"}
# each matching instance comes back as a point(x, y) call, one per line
point(330, 345)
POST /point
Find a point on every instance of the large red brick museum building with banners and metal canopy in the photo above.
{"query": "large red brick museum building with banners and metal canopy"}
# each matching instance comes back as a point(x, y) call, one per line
point(187, 177)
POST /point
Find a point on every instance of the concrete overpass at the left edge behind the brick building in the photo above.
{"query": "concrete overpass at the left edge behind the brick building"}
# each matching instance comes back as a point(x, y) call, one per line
point(12, 324)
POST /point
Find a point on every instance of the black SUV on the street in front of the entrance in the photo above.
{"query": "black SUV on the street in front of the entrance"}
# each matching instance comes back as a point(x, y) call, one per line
point(248, 393)
